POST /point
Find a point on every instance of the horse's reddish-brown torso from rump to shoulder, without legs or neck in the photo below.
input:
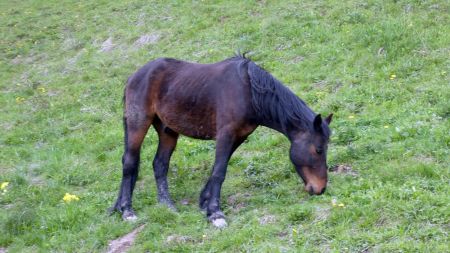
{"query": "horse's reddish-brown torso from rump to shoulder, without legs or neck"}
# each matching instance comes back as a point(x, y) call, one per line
point(193, 99)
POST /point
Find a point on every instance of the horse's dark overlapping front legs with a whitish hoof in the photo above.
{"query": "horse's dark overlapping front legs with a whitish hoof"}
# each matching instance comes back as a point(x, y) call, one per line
point(210, 196)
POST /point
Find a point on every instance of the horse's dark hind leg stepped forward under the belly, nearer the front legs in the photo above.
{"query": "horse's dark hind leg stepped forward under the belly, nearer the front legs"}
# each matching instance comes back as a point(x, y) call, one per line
point(167, 143)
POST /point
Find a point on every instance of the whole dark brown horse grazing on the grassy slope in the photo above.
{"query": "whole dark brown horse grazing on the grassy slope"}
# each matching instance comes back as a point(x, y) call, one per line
point(224, 101)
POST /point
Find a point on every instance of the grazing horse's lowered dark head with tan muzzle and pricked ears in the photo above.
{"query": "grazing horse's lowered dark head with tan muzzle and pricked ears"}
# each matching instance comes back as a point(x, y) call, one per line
point(309, 155)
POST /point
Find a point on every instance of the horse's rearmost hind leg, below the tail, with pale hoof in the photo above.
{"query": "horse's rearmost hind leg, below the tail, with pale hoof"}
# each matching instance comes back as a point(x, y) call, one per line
point(136, 127)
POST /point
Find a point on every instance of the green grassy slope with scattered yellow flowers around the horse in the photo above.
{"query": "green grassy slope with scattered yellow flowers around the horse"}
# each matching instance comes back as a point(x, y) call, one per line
point(382, 67)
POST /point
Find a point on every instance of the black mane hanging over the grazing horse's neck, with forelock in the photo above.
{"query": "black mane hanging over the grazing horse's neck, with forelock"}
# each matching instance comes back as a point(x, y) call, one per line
point(275, 104)
